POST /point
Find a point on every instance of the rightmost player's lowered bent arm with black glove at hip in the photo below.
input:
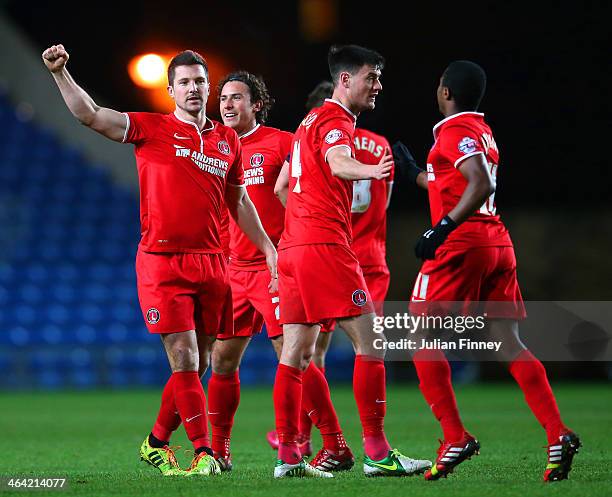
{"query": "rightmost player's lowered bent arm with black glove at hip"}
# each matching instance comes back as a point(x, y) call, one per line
point(480, 186)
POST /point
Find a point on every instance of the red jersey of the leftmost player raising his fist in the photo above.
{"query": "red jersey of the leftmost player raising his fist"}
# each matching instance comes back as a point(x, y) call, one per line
point(183, 173)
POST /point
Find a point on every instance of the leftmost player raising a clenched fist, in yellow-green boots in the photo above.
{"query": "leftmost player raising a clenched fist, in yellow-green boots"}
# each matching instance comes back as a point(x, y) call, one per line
point(188, 167)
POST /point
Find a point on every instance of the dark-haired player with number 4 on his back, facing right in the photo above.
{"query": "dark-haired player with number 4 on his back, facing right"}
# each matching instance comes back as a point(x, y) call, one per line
point(319, 275)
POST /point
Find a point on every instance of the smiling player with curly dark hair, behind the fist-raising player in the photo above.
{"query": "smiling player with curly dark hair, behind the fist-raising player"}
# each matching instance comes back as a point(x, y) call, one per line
point(244, 104)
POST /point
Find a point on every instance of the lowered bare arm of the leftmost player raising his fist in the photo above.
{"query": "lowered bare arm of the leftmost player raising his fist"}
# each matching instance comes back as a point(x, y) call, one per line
point(242, 209)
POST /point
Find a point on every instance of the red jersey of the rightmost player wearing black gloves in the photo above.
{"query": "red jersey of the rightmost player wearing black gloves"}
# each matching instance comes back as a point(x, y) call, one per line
point(456, 138)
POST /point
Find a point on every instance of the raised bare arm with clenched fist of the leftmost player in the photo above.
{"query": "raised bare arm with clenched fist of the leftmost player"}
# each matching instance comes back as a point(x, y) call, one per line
point(107, 122)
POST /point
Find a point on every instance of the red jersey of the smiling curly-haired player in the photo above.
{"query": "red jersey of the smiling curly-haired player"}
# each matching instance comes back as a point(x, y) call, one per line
point(263, 153)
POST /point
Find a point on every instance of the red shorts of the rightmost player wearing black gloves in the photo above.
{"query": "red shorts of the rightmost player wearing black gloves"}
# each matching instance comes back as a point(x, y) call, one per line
point(484, 275)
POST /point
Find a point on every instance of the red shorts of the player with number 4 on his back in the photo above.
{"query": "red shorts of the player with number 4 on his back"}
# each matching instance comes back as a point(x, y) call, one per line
point(319, 282)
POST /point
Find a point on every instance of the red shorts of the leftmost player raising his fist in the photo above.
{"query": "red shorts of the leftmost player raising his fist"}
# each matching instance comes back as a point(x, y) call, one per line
point(180, 292)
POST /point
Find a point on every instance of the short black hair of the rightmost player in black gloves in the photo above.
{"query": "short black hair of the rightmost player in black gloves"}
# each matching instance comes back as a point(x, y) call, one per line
point(467, 82)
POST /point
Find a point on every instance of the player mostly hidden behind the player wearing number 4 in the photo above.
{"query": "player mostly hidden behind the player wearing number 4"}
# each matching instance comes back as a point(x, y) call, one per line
point(369, 223)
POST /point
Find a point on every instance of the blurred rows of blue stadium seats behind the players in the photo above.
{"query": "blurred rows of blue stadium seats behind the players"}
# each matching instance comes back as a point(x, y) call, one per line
point(68, 299)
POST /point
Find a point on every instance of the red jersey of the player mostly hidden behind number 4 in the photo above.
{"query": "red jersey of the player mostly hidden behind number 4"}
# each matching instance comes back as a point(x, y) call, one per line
point(370, 202)
